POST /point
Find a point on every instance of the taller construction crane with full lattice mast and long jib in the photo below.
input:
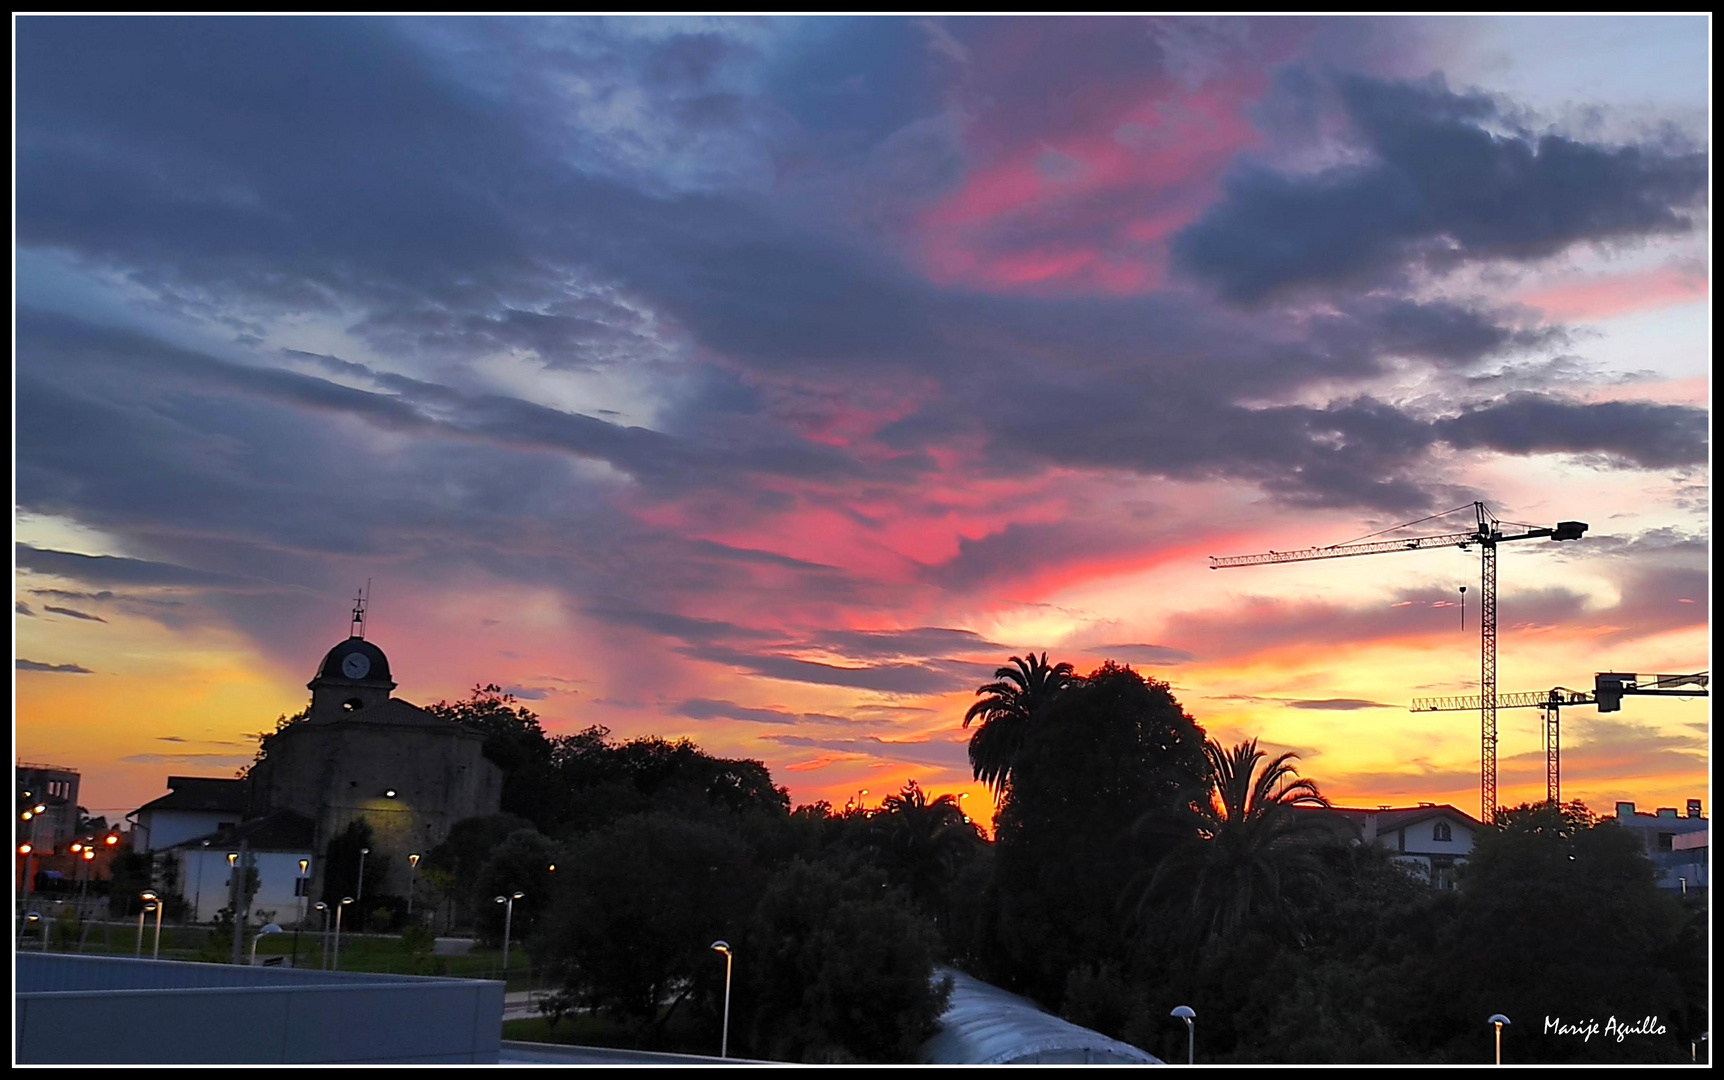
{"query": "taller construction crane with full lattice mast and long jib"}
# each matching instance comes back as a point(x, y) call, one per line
point(1487, 534)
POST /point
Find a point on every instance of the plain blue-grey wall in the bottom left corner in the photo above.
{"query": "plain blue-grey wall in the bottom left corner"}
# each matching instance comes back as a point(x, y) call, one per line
point(173, 1014)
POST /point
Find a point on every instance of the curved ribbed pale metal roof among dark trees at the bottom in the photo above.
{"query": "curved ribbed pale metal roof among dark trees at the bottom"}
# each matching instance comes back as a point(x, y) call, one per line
point(987, 1026)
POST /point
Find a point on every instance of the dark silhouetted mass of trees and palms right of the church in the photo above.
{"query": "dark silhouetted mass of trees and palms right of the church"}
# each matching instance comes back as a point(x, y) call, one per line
point(1135, 867)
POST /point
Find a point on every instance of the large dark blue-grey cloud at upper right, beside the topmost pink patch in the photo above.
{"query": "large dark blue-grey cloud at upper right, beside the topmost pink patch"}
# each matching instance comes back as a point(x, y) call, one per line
point(1446, 185)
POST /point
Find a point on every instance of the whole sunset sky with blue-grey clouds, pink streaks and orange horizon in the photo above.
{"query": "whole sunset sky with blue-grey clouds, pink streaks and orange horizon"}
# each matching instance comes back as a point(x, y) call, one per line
point(770, 382)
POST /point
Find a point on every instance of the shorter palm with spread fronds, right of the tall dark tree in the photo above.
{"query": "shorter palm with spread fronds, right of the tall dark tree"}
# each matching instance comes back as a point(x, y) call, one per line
point(1240, 850)
